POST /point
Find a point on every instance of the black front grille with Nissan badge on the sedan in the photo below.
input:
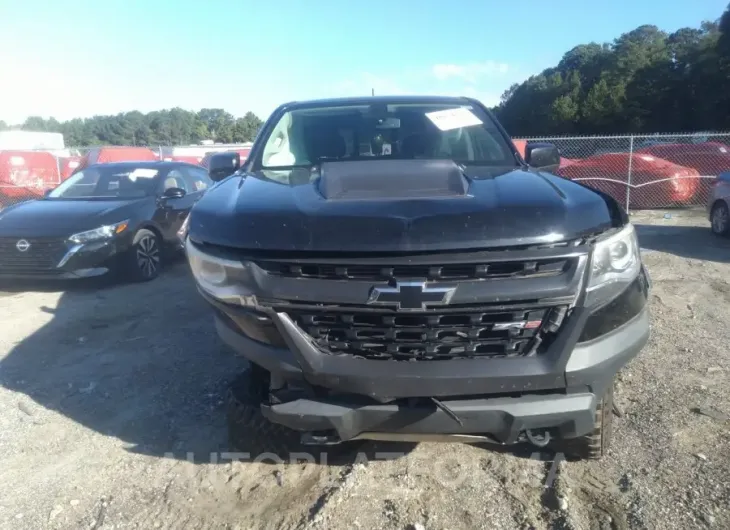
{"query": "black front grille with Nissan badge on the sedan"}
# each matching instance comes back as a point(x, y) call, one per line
point(42, 255)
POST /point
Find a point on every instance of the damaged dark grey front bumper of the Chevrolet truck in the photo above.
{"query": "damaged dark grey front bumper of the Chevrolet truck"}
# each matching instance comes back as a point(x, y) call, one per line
point(504, 399)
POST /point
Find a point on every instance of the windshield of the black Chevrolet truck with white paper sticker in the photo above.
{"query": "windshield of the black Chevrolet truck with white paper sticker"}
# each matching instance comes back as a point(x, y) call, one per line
point(309, 136)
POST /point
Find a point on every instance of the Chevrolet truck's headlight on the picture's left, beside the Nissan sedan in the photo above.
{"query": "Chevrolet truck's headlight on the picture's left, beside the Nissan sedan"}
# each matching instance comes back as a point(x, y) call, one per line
point(222, 278)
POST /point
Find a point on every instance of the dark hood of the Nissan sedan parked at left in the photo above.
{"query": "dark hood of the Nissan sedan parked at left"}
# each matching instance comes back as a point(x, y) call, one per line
point(62, 218)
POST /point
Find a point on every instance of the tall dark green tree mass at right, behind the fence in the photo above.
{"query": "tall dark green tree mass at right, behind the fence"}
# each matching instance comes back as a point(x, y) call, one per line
point(645, 81)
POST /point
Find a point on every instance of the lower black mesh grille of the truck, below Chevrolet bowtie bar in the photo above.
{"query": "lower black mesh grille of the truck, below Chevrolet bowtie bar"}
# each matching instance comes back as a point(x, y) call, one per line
point(431, 335)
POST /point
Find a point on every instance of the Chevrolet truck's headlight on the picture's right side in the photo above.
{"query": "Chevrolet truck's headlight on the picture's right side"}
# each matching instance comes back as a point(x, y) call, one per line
point(616, 263)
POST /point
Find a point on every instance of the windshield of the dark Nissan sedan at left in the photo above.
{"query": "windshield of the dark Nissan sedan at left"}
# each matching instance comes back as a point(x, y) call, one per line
point(107, 182)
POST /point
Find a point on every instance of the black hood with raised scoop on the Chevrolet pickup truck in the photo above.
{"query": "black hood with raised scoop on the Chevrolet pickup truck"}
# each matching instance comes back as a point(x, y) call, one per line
point(301, 210)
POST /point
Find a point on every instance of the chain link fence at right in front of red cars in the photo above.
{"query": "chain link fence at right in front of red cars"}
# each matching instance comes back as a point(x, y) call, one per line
point(646, 171)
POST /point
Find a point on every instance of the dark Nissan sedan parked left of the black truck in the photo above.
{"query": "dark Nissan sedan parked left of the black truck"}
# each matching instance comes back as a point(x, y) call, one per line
point(119, 217)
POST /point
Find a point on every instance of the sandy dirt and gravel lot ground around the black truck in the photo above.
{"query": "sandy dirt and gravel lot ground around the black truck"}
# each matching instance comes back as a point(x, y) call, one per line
point(111, 417)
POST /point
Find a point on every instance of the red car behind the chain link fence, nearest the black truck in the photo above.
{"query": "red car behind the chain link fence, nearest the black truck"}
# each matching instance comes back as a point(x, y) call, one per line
point(654, 182)
